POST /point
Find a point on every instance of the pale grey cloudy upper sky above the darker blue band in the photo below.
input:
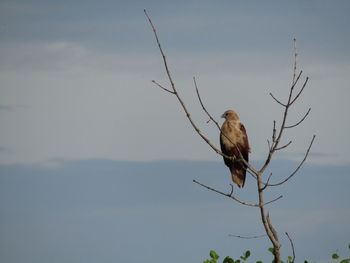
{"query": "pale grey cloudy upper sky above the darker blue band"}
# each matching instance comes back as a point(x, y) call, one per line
point(76, 76)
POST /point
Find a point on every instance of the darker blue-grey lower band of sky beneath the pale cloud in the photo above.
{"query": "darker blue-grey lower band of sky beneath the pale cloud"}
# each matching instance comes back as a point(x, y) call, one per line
point(107, 211)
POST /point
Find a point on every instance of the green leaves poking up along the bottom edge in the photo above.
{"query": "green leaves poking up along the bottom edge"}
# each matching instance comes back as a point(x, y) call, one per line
point(214, 257)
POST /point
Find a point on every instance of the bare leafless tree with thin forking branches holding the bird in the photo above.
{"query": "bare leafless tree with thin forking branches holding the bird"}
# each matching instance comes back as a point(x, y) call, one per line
point(273, 145)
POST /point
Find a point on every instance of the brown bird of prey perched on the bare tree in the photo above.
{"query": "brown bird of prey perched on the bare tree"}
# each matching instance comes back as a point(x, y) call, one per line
point(234, 140)
